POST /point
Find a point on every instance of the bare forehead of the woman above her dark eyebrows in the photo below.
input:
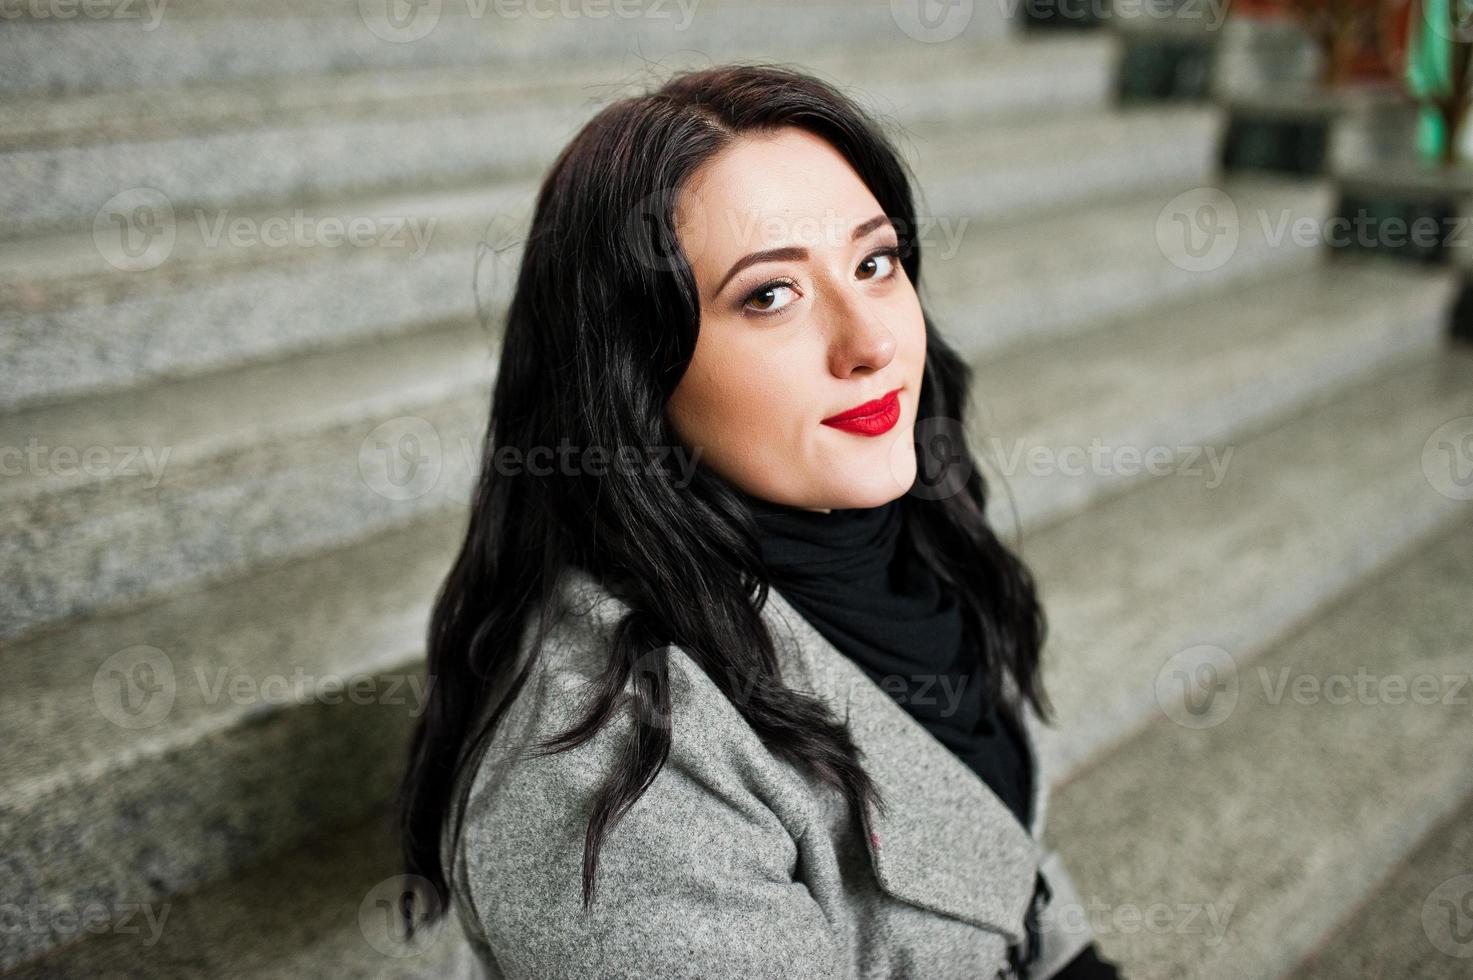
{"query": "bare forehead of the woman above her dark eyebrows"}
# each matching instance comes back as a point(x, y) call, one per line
point(787, 188)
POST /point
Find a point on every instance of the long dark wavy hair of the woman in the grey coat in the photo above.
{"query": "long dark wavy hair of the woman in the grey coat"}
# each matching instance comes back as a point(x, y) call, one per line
point(600, 329)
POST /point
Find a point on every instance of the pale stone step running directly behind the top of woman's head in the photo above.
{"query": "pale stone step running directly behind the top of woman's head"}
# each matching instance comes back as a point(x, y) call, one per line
point(907, 82)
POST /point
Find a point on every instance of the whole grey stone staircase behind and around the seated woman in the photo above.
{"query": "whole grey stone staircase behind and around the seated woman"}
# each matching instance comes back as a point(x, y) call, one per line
point(247, 459)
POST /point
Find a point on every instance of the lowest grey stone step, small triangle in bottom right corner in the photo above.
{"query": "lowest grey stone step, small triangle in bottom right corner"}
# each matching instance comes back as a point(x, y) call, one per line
point(1416, 925)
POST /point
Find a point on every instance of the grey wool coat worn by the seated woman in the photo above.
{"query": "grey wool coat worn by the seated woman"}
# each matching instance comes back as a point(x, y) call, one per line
point(734, 864)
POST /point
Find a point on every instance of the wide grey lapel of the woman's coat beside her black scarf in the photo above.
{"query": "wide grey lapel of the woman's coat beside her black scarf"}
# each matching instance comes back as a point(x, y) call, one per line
point(943, 841)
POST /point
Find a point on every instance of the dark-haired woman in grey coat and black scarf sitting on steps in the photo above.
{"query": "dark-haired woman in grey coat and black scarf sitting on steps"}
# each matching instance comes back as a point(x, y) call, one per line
point(768, 715)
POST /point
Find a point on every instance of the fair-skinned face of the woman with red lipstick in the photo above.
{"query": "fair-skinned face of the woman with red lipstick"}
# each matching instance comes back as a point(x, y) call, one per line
point(802, 321)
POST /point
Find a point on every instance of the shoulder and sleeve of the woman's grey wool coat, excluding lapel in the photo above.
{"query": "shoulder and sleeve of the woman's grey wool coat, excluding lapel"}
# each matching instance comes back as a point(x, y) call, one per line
point(696, 867)
